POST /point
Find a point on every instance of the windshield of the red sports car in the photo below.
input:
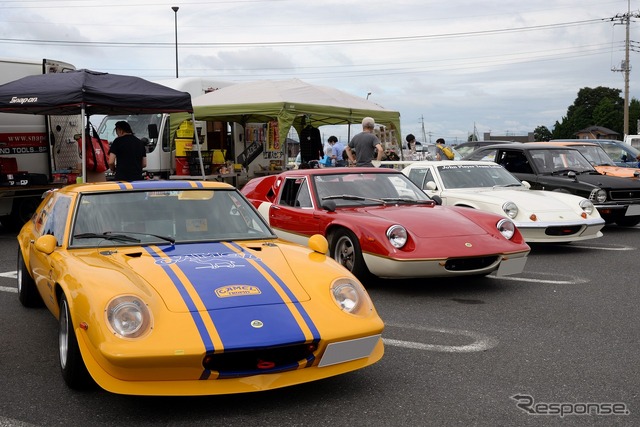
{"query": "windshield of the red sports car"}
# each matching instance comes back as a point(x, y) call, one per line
point(349, 189)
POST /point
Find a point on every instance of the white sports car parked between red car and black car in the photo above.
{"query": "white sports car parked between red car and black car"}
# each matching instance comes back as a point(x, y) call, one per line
point(541, 216)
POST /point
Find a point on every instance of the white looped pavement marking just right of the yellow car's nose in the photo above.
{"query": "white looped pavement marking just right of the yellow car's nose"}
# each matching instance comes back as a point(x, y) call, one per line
point(481, 342)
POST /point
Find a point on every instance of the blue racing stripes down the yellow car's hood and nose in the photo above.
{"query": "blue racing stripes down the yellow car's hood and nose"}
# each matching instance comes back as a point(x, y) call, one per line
point(244, 306)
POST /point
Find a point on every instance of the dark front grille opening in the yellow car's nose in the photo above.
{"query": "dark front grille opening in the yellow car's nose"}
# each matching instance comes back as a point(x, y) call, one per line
point(252, 361)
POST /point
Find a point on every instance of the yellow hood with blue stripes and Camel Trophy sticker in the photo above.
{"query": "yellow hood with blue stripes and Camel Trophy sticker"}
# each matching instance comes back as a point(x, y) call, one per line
point(210, 276)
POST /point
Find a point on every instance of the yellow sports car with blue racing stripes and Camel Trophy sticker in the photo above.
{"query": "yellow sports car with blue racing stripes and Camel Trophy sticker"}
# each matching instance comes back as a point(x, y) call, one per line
point(180, 288)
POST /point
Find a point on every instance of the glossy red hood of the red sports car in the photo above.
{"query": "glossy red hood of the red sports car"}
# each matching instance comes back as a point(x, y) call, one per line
point(427, 221)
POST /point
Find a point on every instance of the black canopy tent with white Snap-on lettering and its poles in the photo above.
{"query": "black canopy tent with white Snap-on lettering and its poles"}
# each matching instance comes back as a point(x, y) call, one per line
point(89, 92)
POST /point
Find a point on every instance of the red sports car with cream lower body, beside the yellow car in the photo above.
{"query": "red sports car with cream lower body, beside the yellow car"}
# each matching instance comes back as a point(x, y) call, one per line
point(379, 223)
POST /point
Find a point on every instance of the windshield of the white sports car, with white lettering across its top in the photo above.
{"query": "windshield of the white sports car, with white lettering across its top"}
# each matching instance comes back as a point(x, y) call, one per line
point(473, 176)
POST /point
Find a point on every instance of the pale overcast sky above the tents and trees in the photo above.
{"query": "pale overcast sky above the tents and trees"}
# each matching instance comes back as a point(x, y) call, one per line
point(449, 66)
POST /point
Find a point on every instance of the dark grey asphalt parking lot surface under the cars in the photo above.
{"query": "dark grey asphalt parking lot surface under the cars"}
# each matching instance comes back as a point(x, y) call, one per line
point(557, 344)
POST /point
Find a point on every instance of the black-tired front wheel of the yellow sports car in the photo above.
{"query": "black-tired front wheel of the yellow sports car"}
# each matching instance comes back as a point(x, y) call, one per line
point(74, 371)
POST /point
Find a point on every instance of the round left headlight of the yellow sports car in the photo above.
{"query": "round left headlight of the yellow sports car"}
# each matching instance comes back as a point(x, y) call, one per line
point(128, 316)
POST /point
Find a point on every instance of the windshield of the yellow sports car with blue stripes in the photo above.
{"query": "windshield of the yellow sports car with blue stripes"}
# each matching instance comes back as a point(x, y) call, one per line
point(165, 217)
